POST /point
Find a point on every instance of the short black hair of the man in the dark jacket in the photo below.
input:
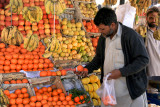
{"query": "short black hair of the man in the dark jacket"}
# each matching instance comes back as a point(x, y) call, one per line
point(105, 16)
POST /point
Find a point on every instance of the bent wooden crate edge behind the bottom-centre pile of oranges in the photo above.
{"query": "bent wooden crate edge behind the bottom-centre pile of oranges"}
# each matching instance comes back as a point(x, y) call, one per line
point(51, 80)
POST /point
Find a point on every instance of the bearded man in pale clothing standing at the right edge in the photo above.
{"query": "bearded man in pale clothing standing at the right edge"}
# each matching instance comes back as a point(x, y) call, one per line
point(152, 45)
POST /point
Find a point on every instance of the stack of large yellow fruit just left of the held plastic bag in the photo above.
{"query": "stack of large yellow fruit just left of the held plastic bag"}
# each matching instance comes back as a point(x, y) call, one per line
point(91, 84)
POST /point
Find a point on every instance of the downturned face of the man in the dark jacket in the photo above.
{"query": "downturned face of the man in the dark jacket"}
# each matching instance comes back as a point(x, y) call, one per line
point(105, 30)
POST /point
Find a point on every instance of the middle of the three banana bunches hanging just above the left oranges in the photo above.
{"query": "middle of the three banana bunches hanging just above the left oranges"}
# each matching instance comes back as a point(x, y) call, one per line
point(31, 42)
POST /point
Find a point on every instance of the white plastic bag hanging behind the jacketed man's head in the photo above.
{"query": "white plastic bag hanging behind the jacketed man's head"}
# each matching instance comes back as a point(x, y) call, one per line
point(126, 14)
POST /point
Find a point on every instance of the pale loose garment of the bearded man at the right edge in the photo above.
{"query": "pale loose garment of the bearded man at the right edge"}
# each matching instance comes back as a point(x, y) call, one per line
point(153, 48)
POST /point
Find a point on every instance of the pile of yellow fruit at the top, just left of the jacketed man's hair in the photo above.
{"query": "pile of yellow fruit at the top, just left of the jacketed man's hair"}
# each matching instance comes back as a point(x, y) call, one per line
point(88, 10)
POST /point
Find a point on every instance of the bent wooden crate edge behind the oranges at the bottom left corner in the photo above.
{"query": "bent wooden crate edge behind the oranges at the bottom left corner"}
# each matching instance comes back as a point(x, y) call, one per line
point(11, 87)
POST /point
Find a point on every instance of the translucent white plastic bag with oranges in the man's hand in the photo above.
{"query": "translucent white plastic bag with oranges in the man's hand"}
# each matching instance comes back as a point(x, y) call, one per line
point(107, 92)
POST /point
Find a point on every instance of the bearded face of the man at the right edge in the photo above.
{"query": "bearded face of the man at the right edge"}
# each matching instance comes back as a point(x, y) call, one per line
point(152, 19)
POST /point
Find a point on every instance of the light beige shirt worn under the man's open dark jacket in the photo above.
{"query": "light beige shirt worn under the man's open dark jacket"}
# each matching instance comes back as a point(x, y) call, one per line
point(114, 59)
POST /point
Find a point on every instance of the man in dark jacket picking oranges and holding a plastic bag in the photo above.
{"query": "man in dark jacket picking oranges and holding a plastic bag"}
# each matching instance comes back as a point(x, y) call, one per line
point(121, 52)
